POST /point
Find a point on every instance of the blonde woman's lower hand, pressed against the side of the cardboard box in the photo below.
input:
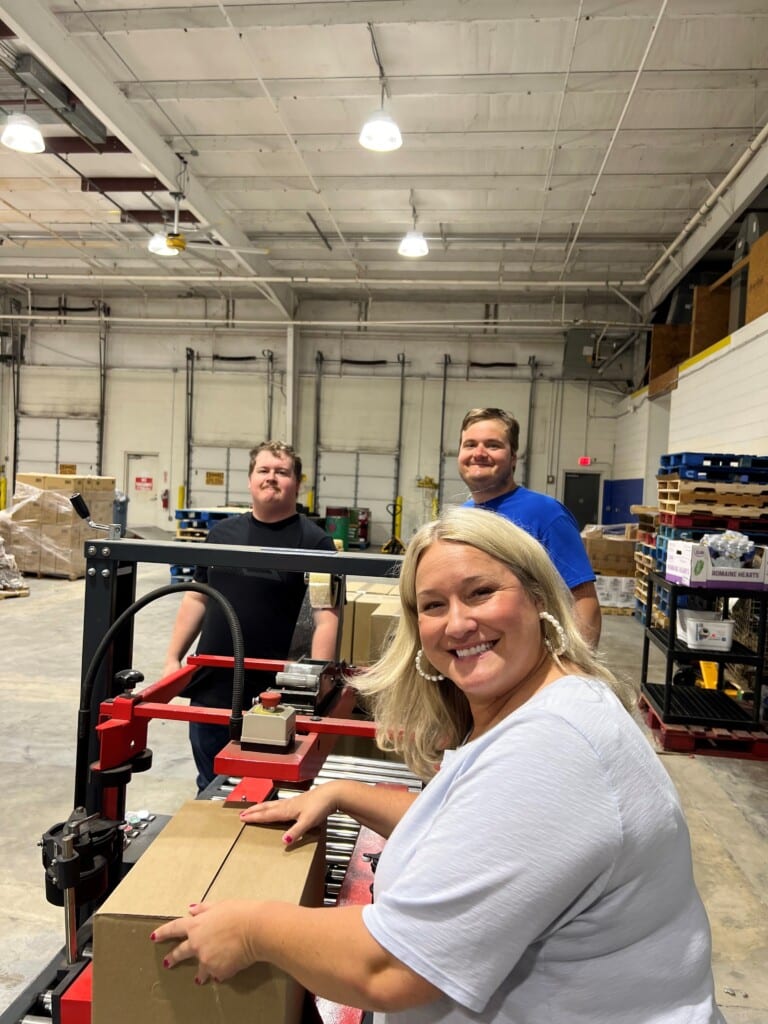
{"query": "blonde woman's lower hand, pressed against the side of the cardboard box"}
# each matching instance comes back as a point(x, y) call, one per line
point(218, 935)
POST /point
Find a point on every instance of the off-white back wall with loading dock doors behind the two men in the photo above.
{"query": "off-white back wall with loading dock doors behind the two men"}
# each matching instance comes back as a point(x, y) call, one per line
point(146, 373)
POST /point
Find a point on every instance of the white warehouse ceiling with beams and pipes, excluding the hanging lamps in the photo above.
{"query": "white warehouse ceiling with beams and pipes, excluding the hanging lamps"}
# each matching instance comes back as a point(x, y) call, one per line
point(579, 153)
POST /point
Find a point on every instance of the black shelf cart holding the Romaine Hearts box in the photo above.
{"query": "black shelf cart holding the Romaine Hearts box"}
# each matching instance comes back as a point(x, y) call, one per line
point(693, 706)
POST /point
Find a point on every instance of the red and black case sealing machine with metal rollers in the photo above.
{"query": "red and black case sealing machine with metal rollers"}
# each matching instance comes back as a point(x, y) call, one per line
point(87, 857)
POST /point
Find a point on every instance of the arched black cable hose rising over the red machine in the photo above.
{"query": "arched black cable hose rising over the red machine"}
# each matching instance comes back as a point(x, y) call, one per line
point(87, 694)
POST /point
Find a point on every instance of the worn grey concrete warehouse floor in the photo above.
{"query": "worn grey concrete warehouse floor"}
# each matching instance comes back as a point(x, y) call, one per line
point(727, 799)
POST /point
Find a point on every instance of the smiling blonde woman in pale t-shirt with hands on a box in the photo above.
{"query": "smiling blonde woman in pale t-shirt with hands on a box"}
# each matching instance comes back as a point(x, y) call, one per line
point(544, 874)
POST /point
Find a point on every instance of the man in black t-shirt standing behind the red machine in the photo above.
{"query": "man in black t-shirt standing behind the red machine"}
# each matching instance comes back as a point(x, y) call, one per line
point(268, 603)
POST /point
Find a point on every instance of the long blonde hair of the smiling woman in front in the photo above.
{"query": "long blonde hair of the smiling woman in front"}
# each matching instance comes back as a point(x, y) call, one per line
point(420, 718)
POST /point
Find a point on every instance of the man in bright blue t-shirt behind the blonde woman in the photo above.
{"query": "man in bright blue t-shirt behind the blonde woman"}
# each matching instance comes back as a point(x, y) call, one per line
point(488, 456)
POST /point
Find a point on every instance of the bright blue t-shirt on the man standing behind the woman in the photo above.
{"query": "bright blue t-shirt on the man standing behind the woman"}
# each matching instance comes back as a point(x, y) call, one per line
point(552, 525)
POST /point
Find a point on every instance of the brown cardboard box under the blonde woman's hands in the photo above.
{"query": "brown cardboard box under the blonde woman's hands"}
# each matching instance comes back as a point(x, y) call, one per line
point(205, 852)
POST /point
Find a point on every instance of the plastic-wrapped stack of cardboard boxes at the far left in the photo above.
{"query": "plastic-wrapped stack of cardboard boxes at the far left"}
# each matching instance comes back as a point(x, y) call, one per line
point(45, 533)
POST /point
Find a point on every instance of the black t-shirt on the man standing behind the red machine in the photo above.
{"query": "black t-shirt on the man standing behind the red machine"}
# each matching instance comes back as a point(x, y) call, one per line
point(268, 604)
